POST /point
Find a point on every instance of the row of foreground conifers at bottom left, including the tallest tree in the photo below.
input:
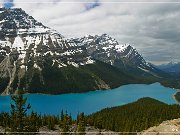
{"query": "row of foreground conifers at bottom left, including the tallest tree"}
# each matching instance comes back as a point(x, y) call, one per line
point(18, 120)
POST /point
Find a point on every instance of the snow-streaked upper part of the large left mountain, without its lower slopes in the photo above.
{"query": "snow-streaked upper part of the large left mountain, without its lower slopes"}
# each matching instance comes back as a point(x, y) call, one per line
point(22, 34)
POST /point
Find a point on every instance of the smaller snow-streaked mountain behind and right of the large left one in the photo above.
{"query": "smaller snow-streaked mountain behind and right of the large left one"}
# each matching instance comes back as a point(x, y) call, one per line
point(108, 50)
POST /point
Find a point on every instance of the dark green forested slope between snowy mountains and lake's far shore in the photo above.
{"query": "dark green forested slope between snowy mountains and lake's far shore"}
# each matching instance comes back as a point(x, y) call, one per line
point(54, 80)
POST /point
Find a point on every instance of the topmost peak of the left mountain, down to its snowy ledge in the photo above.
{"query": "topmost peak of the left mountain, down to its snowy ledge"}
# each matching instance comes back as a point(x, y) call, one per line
point(16, 21)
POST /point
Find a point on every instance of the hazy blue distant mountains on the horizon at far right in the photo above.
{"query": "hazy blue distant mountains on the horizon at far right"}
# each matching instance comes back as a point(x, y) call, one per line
point(170, 67)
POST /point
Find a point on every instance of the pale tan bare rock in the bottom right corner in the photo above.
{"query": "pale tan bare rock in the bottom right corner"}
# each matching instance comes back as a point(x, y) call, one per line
point(170, 127)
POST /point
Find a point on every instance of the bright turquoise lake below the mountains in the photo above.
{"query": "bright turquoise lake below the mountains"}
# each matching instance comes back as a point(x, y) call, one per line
point(93, 101)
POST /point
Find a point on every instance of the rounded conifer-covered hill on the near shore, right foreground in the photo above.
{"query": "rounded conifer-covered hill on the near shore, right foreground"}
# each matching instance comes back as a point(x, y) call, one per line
point(137, 116)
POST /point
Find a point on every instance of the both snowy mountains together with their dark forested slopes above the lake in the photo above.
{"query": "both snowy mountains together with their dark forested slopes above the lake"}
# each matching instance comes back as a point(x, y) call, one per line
point(38, 59)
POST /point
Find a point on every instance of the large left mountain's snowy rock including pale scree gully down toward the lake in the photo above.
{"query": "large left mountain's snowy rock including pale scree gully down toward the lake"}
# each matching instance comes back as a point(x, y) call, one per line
point(24, 40)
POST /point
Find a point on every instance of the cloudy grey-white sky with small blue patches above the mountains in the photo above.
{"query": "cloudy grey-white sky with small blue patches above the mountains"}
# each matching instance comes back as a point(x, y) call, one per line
point(151, 26)
